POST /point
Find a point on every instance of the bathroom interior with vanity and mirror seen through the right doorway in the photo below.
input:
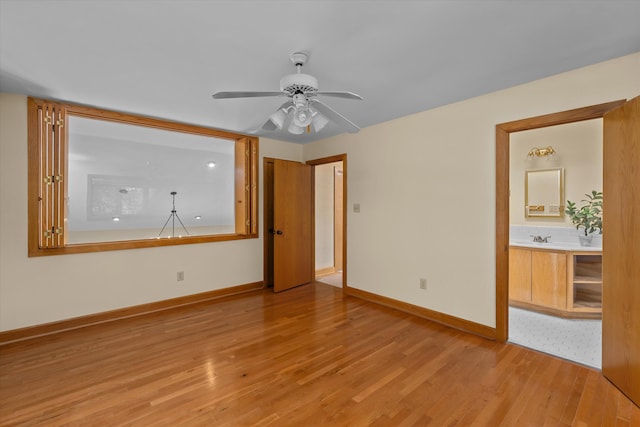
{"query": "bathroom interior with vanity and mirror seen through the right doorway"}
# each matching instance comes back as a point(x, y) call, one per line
point(549, 309)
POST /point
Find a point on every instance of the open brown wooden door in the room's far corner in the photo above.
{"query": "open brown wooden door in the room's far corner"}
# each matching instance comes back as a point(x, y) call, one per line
point(292, 222)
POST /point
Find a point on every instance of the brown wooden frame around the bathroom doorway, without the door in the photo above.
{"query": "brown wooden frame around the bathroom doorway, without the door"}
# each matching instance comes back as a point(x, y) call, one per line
point(503, 130)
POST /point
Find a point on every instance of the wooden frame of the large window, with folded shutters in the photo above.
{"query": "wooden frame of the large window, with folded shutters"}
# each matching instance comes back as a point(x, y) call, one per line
point(47, 187)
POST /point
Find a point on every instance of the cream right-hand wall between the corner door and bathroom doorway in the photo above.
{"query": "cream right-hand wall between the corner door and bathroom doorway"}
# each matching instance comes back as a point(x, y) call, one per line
point(426, 188)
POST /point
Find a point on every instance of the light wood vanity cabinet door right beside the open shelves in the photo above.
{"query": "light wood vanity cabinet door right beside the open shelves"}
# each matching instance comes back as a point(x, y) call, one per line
point(549, 279)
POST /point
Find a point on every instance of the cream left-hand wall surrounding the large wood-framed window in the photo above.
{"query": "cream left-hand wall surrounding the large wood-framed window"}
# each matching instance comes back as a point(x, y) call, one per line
point(45, 289)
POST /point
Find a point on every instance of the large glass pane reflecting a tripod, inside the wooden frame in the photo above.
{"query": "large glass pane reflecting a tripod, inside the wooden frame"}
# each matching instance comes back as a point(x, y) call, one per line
point(127, 171)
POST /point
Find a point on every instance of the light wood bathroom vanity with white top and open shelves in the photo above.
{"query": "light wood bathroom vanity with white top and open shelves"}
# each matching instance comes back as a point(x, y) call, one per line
point(557, 279)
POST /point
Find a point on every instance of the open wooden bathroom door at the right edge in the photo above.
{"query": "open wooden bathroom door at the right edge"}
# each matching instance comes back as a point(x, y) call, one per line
point(621, 249)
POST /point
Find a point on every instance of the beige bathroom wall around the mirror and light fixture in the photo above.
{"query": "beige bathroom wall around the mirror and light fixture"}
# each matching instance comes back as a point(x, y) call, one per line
point(578, 150)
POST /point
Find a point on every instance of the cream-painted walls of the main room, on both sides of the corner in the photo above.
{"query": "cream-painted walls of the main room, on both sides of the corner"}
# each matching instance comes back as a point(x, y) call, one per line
point(425, 184)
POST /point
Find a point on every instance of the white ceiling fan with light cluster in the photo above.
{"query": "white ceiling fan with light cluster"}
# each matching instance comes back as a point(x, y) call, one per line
point(303, 111)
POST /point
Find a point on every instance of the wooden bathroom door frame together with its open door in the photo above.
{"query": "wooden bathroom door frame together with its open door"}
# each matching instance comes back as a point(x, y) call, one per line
point(620, 337)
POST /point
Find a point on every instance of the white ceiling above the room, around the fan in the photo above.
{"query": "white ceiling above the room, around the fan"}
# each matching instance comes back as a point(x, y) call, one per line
point(165, 58)
